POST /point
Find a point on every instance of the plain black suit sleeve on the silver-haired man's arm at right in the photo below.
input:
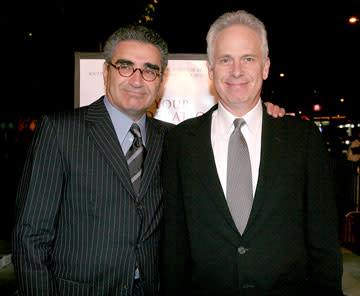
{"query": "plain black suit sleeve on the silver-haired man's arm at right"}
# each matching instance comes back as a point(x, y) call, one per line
point(325, 259)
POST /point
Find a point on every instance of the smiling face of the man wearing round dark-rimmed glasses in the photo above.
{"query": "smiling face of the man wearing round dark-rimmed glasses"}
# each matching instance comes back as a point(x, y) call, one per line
point(132, 95)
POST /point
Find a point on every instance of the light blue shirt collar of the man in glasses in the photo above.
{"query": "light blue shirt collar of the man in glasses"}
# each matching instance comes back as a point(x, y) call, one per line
point(122, 123)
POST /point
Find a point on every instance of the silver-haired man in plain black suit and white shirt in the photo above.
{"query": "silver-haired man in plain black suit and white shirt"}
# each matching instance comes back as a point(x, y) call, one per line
point(276, 234)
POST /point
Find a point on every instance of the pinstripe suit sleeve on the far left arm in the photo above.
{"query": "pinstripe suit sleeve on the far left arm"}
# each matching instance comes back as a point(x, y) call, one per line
point(37, 206)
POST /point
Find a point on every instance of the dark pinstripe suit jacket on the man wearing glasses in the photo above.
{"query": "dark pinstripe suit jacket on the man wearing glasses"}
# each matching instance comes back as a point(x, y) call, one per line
point(79, 228)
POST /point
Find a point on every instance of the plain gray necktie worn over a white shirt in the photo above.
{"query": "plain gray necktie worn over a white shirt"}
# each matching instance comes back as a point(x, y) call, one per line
point(239, 193)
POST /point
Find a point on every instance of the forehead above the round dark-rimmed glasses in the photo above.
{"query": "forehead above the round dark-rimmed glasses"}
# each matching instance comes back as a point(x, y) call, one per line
point(137, 52)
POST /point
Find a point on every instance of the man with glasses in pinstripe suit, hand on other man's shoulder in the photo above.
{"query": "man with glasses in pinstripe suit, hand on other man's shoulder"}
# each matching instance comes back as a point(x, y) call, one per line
point(81, 228)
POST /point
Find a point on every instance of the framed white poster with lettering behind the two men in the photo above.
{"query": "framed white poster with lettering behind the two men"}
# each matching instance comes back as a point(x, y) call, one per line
point(187, 90)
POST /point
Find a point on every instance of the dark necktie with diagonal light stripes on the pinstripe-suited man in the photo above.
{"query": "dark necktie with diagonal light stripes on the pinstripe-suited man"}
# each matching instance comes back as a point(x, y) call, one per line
point(135, 157)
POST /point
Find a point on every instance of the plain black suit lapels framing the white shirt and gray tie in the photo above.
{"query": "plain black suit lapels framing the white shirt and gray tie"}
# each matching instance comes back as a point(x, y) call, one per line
point(201, 149)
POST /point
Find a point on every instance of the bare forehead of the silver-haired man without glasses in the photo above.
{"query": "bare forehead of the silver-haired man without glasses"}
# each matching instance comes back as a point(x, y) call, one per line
point(237, 38)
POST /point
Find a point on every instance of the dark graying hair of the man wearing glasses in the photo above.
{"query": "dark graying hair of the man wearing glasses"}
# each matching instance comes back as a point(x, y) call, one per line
point(137, 33)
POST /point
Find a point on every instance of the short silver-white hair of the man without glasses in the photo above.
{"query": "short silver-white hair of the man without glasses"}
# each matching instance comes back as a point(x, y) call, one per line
point(240, 17)
